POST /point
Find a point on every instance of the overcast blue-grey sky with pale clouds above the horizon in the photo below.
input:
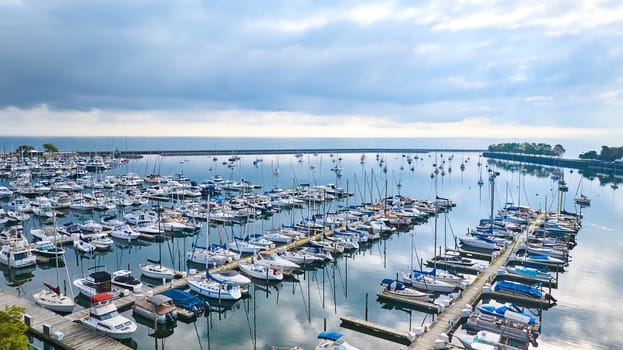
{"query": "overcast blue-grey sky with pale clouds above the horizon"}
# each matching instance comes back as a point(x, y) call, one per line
point(312, 68)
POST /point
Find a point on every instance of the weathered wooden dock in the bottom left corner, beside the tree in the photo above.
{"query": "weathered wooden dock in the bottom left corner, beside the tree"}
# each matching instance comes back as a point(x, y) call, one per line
point(74, 335)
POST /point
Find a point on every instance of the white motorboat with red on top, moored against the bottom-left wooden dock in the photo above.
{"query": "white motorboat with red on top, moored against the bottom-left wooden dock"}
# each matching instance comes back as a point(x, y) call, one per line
point(103, 317)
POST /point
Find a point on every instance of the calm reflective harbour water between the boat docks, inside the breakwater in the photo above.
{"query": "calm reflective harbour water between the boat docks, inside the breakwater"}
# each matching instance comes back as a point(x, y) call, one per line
point(293, 312)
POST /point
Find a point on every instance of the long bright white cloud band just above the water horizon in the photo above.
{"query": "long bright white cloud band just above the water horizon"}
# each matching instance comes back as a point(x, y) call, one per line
point(237, 123)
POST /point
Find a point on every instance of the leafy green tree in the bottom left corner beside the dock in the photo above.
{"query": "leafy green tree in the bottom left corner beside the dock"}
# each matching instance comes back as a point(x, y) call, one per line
point(12, 329)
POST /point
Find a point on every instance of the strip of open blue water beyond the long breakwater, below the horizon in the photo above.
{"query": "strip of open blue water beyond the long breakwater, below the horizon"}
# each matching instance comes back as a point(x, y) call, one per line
point(106, 144)
